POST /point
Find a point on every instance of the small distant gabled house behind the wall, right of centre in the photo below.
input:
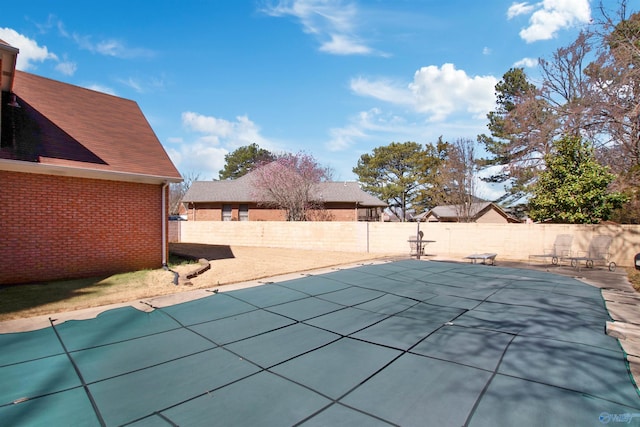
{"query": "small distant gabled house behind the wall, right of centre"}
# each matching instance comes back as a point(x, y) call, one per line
point(484, 212)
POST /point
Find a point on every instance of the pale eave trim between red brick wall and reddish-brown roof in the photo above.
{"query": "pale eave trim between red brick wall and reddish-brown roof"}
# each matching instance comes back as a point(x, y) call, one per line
point(88, 173)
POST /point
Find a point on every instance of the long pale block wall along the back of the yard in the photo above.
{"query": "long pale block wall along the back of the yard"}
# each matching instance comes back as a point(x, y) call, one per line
point(451, 240)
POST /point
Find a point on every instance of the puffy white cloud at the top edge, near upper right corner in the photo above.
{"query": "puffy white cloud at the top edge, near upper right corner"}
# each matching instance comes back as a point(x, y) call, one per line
point(551, 16)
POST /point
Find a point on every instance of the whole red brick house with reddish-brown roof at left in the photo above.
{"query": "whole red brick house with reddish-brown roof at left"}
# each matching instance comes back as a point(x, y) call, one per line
point(83, 181)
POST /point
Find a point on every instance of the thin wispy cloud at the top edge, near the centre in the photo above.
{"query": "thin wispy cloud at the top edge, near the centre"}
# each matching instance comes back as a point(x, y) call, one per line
point(332, 22)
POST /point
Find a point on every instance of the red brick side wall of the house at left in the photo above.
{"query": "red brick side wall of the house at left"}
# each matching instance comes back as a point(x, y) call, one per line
point(56, 227)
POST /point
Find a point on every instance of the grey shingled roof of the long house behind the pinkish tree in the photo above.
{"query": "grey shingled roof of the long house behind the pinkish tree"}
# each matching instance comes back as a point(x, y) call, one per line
point(241, 191)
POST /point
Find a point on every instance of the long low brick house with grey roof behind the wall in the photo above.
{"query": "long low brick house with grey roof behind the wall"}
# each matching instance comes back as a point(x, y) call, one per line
point(235, 200)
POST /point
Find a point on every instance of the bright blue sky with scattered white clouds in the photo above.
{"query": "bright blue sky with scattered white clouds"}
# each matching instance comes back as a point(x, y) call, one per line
point(330, 78)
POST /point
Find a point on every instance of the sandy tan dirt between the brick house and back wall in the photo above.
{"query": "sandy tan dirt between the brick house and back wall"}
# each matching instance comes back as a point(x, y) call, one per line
point(234, 264)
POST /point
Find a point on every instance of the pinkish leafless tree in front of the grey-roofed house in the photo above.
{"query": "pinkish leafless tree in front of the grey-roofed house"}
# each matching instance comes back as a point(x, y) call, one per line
point(290, 183)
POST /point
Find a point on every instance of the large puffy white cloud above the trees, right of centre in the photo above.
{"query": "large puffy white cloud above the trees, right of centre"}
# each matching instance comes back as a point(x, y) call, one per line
point(458, 102)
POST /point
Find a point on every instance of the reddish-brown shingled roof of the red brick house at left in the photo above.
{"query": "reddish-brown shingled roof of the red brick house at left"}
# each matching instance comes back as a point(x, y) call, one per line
point(66, 126)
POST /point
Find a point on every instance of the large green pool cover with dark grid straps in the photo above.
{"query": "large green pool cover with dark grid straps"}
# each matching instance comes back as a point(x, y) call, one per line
point(411, 343)
